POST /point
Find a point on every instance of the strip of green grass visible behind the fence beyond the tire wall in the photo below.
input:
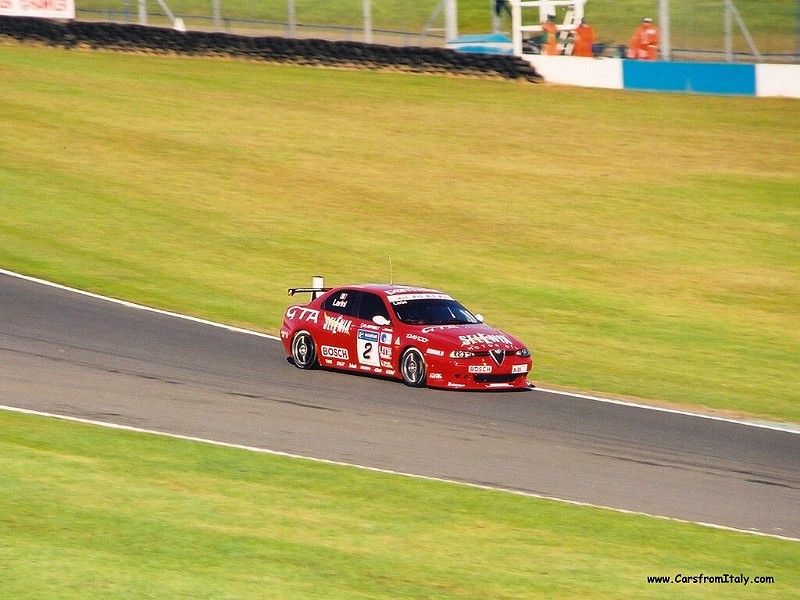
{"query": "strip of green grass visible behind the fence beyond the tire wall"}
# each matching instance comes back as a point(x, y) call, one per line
point(694, 23)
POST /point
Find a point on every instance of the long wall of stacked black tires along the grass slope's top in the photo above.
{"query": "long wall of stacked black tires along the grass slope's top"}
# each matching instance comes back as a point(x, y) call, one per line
point(138, 38)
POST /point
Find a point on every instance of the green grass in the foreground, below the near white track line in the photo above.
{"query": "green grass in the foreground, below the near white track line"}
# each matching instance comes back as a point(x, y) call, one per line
point(88, 512)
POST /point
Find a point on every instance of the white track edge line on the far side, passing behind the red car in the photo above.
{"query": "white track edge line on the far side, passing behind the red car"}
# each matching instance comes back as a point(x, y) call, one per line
point(763, 425)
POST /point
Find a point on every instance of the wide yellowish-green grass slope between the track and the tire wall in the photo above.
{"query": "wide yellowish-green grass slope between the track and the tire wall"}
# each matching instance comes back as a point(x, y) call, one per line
point(644, 245)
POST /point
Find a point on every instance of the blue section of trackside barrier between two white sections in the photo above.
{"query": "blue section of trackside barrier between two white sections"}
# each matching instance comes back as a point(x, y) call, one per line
point(700, 78)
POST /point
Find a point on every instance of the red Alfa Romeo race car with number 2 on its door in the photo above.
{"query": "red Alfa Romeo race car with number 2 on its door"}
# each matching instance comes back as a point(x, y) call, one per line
point(422, 336)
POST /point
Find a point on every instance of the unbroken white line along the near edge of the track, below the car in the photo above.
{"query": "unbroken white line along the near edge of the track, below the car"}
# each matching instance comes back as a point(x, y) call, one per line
point(189, 438)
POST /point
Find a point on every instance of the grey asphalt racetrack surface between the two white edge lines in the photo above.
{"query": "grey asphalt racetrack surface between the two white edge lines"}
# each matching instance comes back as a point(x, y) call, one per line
point(81, 356)
